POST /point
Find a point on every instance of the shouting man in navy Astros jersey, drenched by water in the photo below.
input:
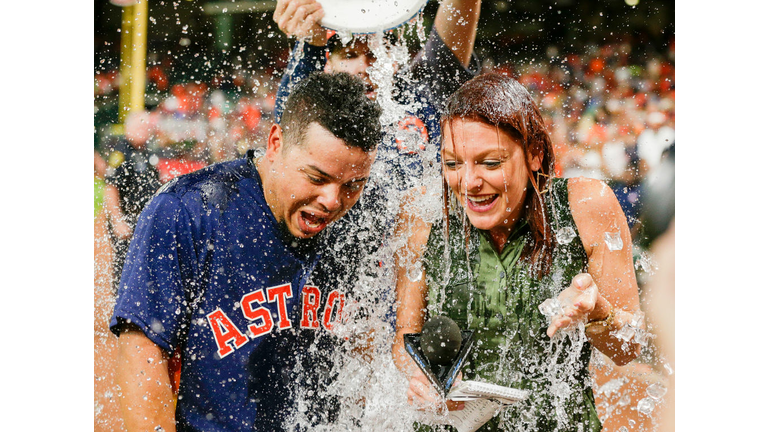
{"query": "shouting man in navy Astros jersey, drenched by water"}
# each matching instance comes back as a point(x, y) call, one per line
point(217, 267)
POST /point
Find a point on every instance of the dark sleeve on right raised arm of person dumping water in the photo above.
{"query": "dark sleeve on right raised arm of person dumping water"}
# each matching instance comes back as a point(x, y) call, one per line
point(437, 68)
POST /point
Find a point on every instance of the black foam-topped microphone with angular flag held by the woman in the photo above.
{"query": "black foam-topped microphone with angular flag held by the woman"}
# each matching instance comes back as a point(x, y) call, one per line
point(440, 350)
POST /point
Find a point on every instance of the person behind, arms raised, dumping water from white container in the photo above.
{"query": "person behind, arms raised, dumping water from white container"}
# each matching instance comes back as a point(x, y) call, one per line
point(445, 62)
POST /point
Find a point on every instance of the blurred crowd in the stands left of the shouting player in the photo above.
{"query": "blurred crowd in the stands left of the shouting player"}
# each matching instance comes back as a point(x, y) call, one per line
point(196, 123)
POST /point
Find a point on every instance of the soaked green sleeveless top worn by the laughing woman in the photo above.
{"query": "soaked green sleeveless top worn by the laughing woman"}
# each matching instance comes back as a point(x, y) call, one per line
point(497, 296)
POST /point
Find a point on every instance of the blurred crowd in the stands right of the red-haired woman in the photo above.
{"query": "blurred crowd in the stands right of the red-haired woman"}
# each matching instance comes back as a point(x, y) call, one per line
point(611, 116)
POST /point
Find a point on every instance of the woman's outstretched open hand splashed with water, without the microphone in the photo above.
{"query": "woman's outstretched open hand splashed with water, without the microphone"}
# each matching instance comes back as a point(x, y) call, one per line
point(581, 301)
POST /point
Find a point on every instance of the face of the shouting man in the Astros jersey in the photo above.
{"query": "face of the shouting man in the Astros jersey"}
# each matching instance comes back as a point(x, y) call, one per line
point(313, 184)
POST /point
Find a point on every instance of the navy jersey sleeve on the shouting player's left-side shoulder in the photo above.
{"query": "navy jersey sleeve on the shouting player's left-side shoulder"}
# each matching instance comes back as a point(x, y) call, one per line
point(154, 292)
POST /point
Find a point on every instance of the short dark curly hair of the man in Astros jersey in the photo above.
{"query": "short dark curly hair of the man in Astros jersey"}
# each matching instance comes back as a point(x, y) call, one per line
point(338, 103)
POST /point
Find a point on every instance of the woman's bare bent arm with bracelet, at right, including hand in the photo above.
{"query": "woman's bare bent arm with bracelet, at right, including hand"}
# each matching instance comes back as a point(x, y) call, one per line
point(610, 284)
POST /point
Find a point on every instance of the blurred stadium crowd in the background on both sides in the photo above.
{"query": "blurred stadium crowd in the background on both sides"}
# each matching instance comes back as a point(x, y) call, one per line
point(611, 117)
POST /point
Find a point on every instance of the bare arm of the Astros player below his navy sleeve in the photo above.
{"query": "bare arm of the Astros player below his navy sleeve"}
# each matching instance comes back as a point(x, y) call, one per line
point(146, 396)
